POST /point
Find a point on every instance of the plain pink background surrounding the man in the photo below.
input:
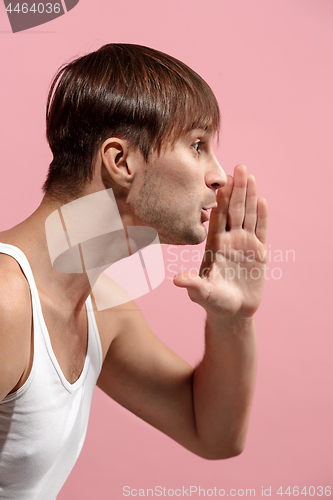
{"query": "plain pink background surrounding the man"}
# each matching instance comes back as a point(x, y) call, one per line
point(270, 64)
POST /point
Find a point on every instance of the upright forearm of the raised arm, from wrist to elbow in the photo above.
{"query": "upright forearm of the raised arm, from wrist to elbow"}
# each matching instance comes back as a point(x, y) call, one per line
point(223, 386)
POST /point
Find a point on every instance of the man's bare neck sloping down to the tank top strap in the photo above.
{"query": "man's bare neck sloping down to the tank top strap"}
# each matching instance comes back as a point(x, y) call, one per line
point(69, 246)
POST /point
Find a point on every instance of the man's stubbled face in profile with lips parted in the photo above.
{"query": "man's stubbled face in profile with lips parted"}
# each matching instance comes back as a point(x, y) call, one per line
point(176, 189)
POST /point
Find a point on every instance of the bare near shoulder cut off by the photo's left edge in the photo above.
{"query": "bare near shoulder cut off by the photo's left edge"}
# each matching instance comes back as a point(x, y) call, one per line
point(15, 325)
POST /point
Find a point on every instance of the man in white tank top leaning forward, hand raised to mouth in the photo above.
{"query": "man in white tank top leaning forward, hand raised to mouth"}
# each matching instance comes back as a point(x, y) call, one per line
point(134, 126)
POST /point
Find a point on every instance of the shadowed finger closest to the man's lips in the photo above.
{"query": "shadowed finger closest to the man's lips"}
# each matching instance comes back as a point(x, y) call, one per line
point(219, 215)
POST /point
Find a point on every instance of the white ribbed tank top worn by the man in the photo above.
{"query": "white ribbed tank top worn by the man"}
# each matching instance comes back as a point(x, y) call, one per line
point(43, 424)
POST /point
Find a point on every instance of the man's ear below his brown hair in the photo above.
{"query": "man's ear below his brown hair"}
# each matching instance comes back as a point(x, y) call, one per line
point(115, 154)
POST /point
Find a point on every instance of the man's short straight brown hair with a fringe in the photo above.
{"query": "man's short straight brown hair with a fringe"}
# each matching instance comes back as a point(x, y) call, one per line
point(122, 90)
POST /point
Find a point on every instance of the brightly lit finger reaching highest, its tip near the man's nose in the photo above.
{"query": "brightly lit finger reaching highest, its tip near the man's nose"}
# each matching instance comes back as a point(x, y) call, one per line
point(237, 200)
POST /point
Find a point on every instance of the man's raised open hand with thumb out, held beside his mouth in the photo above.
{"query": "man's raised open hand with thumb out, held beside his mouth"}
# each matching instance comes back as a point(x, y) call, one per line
point(232, 273)
